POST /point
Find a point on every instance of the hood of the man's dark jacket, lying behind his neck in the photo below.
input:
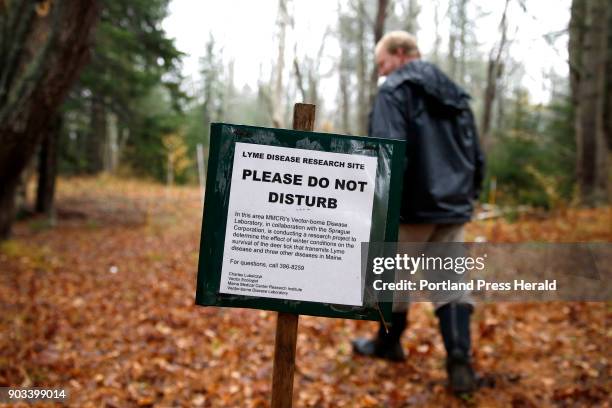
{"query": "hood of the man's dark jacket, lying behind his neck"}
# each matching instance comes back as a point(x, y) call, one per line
point(432, 81)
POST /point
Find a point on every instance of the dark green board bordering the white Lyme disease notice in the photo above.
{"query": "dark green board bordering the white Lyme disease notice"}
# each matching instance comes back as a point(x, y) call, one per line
point(384, 226)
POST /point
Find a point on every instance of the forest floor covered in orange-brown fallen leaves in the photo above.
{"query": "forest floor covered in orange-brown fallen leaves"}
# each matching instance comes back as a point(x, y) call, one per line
point(103, 304)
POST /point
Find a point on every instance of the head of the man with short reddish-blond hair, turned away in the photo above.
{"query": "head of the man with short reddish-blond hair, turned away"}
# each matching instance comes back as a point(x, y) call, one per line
point(394, 50)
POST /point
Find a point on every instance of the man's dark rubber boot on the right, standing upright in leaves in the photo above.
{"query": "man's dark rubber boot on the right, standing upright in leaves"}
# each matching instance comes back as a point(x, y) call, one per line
point(455, 328)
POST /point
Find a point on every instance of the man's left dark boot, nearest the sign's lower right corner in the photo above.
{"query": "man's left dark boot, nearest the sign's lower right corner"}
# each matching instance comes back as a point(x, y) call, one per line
point(385, 345)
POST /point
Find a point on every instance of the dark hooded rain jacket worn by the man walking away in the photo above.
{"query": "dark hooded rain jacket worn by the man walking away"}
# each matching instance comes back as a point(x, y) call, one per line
point(418, 103)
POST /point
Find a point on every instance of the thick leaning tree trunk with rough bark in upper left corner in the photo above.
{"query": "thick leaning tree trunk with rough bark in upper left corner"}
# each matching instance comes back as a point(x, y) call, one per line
point(43, 47)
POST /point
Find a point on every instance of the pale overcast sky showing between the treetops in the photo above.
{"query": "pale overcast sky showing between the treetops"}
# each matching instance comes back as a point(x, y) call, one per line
point(245, 29)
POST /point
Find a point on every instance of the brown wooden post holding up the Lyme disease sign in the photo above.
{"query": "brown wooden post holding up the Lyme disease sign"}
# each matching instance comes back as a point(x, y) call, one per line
point(287, 323)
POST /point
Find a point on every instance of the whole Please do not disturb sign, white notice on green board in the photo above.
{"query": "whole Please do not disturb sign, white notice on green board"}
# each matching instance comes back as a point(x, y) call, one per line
point(285, 215)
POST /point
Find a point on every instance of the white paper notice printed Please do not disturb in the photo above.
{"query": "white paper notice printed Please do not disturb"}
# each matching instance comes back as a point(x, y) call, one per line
point(295, 224)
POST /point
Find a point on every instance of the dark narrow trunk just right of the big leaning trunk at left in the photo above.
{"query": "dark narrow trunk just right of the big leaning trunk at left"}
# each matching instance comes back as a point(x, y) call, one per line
point(47, 168)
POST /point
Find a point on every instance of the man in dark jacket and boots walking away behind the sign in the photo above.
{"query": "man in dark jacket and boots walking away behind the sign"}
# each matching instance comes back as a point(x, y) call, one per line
point(418, 103)
